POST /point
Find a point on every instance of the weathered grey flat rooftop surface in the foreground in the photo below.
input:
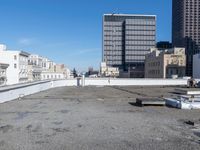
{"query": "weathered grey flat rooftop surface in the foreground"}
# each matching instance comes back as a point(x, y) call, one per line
point(87, 118)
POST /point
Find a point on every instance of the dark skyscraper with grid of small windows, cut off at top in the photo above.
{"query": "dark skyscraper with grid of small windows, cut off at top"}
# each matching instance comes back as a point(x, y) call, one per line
point(186, 28)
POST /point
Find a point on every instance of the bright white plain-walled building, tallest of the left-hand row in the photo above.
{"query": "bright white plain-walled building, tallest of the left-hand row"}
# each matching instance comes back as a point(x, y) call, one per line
point(17, 72)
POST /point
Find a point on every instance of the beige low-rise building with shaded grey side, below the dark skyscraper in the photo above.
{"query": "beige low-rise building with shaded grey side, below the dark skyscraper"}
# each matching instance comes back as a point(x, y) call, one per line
point(165, 64)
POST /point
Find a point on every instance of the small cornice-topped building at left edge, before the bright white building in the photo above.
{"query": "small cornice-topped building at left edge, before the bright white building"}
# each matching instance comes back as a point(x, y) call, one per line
point(3, 74)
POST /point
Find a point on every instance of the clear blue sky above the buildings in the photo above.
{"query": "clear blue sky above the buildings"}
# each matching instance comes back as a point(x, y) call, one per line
point(70, 31)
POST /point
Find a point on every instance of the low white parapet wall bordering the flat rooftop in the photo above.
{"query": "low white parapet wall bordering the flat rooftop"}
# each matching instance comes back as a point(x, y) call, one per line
point(9, 93)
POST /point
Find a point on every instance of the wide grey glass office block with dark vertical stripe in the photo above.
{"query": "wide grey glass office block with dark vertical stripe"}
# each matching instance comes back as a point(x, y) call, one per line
point(126, 41)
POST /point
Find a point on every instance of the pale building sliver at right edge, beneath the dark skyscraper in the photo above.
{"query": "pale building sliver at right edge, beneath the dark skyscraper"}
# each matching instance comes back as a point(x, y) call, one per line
point(196, 66)
